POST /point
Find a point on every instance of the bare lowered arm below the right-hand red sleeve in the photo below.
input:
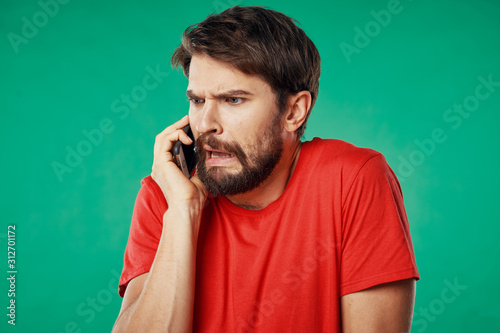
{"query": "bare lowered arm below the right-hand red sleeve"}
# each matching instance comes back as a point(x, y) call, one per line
point(386, 308)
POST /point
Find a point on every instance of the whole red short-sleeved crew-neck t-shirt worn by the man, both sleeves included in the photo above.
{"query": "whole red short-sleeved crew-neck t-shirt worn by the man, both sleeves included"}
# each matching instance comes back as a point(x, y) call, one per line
point(339, 227)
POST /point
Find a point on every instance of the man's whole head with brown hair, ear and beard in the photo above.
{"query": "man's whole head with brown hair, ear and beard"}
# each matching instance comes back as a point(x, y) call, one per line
point(253, 78)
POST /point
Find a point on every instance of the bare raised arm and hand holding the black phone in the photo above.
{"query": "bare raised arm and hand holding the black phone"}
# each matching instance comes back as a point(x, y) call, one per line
point(162, 300)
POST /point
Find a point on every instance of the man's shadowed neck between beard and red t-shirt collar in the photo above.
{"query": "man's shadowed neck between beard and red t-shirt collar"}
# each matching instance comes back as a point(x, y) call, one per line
point(272, 188)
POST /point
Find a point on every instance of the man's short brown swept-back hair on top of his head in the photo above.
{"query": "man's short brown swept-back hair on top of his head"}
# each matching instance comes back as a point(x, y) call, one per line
point(257, 41)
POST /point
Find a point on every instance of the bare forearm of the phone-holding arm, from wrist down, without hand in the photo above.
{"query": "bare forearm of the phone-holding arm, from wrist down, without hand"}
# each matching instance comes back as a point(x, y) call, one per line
point(167, 298)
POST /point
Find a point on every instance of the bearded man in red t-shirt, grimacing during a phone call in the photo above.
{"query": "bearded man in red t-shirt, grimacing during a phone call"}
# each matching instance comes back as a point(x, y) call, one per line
point(271, 234)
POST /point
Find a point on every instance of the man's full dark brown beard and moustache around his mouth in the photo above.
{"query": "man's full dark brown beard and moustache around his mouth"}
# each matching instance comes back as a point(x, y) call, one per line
point(257, 163)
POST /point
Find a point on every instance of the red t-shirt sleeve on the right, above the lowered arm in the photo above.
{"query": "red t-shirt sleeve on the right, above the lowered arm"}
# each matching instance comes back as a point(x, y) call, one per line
point(376, 242)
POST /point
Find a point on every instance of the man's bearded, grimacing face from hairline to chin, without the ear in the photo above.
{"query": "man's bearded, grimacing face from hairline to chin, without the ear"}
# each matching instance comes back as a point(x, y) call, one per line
point(237, 124)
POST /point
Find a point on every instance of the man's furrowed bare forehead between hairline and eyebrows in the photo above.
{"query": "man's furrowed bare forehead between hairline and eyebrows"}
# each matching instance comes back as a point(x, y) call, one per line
point(209, 75)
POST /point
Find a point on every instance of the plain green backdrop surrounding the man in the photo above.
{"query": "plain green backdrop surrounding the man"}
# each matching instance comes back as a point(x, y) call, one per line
point(390, 95)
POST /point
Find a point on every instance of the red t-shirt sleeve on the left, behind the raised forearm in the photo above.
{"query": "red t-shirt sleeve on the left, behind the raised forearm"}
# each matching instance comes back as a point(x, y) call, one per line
point(145, 232)
